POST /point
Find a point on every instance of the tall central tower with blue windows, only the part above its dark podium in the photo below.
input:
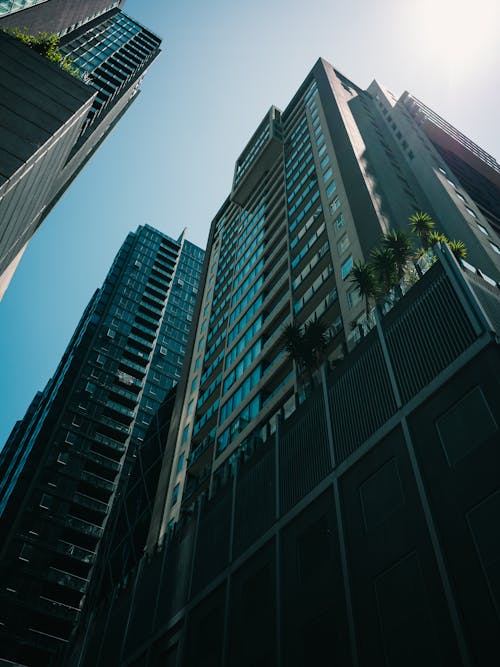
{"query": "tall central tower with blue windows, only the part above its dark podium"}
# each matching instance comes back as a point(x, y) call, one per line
point(313, 192)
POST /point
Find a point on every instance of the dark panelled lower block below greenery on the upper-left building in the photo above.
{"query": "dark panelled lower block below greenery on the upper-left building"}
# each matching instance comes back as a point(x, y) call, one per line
point(43, 112)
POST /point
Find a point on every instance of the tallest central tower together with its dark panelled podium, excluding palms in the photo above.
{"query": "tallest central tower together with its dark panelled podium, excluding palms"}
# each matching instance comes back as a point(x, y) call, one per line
point(353, 523)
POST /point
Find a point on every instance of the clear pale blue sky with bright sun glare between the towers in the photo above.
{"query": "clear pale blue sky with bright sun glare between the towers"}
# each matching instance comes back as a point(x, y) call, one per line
point(170, 160)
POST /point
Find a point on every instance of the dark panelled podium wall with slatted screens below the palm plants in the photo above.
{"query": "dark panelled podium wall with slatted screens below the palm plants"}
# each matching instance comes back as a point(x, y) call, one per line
point(363, 533)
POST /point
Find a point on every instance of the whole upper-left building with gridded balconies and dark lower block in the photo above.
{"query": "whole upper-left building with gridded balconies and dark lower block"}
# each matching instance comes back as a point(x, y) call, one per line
point(53, 121)
